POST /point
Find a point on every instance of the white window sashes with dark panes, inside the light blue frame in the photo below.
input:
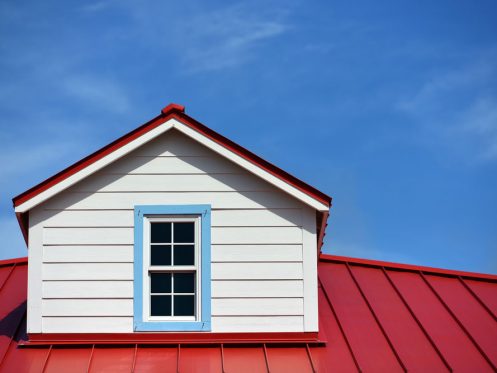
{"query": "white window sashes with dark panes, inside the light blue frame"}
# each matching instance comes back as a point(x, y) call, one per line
point(171, 256)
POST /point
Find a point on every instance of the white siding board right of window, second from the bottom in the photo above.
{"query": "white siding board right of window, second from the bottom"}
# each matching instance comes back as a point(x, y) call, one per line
point(257, 306)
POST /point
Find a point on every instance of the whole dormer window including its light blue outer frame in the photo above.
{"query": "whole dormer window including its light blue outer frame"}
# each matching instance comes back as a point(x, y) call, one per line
point(172, 268)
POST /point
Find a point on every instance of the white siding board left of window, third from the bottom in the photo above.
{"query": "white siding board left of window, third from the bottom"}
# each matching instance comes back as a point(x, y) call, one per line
point(87, 289)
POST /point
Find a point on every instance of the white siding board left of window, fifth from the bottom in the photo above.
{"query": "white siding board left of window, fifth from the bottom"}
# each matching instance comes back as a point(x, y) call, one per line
point(88, 254)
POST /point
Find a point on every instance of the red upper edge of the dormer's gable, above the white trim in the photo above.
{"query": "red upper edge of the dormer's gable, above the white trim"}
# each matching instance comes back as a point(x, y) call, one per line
point(171, 111)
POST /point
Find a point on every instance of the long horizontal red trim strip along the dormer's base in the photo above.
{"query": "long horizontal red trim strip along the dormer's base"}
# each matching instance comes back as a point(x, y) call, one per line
point(172, 338)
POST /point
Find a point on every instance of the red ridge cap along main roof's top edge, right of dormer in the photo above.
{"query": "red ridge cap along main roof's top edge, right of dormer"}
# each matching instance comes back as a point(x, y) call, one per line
point(407, 267)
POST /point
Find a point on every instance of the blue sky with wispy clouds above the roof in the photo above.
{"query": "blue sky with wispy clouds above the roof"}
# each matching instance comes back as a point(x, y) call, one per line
point(390, 107)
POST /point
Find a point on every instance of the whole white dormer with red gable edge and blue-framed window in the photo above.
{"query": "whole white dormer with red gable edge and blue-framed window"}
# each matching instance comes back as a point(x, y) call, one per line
point(172, 228)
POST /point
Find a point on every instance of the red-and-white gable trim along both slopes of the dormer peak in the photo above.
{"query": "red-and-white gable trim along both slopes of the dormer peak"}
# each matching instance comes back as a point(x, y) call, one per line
point(171, 116)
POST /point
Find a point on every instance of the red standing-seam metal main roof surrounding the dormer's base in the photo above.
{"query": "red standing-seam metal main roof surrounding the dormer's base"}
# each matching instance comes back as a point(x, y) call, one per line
point(375, 317)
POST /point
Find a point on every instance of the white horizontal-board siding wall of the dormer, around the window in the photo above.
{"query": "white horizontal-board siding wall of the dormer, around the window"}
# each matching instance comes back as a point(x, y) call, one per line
point(263, 244)
